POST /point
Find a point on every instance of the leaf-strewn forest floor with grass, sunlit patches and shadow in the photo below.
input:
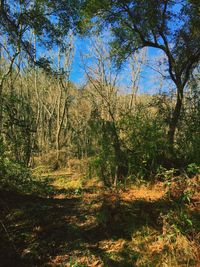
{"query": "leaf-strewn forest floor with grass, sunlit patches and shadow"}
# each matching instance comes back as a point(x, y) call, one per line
point(72, 221)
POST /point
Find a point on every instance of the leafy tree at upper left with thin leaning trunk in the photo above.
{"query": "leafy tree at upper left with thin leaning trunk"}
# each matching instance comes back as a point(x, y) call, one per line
point(50, 21)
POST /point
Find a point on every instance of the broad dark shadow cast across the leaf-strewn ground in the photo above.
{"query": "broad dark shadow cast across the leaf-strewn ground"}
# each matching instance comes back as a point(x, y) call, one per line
point(47, 230)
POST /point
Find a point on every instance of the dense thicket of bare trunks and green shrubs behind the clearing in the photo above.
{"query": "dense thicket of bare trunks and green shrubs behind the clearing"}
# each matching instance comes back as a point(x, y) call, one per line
point(49, 121)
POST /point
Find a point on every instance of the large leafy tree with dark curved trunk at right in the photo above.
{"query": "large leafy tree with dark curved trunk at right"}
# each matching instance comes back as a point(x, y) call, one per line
point(162, 24)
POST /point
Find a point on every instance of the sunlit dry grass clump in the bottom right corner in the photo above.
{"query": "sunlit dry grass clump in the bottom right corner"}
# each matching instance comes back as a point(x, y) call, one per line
point(170, 249)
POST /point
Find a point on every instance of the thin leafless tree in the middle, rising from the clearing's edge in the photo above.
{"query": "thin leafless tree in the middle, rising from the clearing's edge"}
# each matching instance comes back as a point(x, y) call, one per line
point(102, 82)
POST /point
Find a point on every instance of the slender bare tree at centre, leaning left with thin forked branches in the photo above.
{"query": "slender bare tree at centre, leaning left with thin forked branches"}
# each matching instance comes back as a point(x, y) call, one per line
point(102, 80)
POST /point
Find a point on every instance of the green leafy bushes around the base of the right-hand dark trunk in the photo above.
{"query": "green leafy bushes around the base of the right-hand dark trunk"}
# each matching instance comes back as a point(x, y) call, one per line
point(144, 143)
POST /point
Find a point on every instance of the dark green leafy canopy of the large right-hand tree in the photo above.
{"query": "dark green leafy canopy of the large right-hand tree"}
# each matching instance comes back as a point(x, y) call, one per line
point(136, 24)
